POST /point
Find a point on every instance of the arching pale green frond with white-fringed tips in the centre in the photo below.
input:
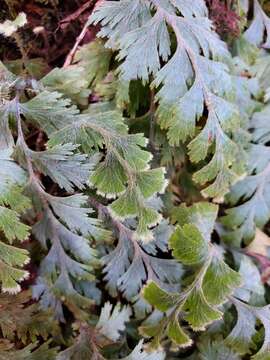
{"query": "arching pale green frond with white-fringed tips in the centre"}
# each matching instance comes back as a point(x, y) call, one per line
point(126, 162)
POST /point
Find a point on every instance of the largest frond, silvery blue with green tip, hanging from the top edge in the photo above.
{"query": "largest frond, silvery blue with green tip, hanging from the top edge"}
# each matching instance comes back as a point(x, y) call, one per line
point(145, 48)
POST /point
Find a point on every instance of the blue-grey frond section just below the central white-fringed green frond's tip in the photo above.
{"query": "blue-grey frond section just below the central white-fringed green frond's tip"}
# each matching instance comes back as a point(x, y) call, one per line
point(129, 265)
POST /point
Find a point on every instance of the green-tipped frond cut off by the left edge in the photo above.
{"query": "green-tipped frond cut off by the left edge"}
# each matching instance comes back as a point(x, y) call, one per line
point(12, 202)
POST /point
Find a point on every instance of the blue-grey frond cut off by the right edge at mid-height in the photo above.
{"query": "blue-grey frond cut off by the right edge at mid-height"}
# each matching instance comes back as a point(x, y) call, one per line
point(254, 211)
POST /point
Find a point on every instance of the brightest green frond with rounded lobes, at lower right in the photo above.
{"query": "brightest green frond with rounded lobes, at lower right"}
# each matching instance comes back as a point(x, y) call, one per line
point(211, 286)
